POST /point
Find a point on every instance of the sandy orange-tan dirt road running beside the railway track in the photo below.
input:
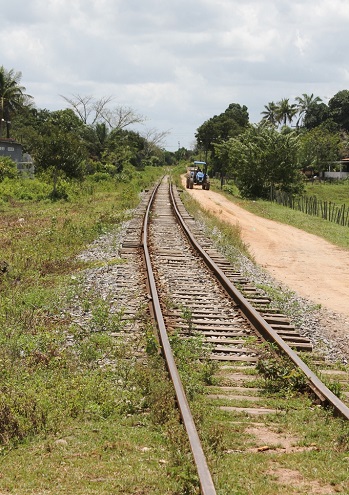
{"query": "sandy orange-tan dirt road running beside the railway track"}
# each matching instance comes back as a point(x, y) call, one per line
point(307, 264)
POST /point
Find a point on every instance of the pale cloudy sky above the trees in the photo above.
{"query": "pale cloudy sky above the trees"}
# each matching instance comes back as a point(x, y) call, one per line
point(177, 62)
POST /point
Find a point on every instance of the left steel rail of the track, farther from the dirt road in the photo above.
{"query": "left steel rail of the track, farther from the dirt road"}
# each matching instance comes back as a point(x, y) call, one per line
point(205, 479)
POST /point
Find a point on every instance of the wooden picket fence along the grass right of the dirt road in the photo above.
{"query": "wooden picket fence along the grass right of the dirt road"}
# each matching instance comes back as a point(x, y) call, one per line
point(311, 205)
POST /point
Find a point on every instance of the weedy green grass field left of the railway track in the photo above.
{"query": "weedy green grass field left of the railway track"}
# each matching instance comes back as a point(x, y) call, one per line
point(68, 424)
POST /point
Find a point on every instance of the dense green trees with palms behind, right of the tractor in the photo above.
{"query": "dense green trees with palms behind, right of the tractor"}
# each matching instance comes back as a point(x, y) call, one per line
point(291, 139)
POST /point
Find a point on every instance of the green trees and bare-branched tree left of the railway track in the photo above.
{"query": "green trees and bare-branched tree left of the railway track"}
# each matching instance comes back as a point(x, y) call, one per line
point(91, 136)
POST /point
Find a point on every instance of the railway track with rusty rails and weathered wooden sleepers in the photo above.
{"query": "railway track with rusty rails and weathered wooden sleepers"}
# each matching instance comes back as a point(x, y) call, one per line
point(196, 292)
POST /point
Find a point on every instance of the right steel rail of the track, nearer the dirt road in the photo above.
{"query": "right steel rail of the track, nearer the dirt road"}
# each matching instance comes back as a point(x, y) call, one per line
point(325, 395)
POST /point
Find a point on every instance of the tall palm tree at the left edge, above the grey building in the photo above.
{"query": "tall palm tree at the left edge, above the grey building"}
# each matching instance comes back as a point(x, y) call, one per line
point(12, 97)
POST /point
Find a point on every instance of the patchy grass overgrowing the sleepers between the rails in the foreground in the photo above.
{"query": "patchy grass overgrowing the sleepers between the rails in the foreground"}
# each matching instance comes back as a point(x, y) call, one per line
point(320, 444)
